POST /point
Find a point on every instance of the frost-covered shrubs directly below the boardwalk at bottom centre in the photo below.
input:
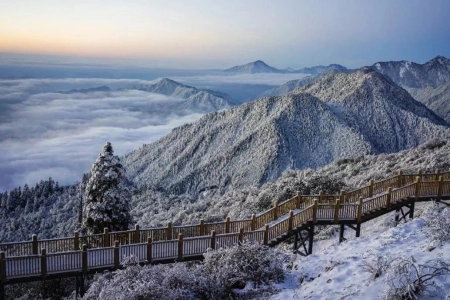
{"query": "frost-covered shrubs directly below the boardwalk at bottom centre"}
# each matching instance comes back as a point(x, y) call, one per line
point(215, 278)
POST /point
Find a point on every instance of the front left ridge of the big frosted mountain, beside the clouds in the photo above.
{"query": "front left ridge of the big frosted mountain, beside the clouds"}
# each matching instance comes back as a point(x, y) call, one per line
point(248, 144)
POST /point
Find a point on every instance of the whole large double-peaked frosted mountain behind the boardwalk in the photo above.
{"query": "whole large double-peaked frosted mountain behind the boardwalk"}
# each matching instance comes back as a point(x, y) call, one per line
point(341, 115)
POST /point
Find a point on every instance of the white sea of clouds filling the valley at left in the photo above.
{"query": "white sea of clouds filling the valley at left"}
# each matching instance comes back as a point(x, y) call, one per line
point(48, 134)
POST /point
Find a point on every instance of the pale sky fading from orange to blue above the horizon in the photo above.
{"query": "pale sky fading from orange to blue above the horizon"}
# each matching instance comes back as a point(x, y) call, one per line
point(220, 34)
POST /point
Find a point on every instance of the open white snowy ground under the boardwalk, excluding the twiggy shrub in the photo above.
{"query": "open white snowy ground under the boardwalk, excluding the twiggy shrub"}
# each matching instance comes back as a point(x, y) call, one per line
point(334, 271)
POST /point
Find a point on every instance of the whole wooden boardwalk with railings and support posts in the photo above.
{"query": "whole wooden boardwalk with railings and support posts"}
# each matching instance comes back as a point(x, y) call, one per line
point(72, 256)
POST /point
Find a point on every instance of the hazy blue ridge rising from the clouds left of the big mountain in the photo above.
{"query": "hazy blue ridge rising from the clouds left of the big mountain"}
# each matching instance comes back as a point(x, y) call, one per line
point(196, 99)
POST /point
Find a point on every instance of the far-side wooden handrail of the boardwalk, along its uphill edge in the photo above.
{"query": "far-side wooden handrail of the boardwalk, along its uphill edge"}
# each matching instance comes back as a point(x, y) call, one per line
point(298, 202)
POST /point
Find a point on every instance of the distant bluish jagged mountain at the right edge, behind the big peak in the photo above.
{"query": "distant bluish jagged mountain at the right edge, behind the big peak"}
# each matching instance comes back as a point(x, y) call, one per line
point(411, 74)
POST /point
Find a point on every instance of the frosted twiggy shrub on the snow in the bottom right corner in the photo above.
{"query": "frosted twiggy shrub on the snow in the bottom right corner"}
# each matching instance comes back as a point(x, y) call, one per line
point(406, 279)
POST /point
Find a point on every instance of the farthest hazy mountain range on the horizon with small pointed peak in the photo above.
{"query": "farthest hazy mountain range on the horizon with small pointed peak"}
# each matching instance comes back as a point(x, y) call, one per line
point(261, 67)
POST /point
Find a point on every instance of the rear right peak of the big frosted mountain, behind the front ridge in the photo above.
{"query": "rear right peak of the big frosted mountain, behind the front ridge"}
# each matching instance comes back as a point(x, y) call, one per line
point(384, 113)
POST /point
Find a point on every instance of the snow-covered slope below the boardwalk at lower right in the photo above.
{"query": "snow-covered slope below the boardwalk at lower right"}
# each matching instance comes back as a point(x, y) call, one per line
point(337, 271)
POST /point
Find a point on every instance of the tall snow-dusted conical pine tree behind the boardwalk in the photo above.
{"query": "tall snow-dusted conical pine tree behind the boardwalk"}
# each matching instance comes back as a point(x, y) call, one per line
point(106, 195)
